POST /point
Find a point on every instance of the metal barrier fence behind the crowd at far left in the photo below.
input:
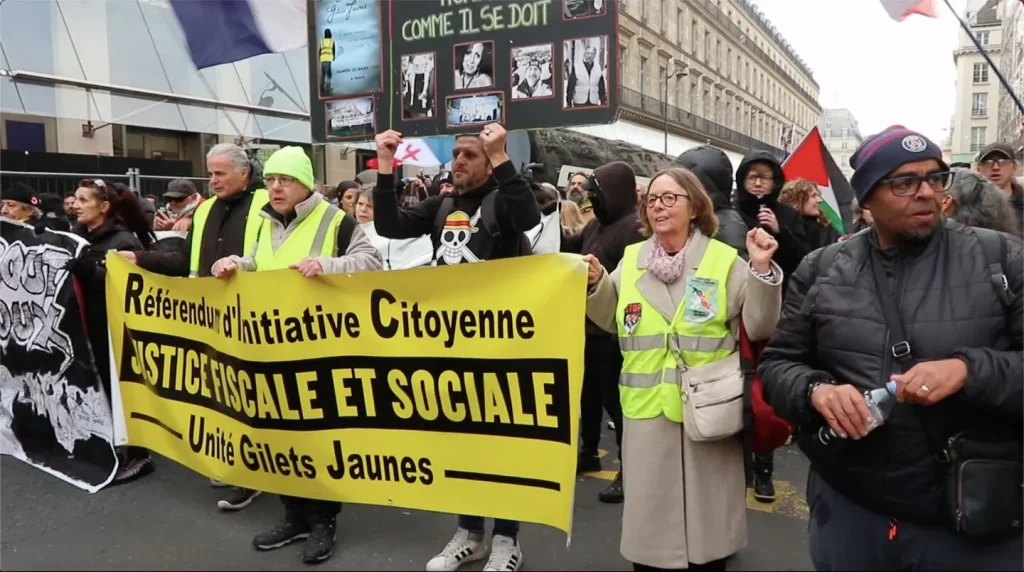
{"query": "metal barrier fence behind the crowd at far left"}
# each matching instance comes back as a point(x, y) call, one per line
point(66, 184)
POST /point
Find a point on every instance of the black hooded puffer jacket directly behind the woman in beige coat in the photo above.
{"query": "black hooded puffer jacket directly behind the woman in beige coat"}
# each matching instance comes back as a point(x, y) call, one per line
point(713, 167)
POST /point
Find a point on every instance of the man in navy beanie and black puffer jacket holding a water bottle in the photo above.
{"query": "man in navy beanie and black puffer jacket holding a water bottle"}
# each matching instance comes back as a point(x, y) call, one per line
point(922, 303)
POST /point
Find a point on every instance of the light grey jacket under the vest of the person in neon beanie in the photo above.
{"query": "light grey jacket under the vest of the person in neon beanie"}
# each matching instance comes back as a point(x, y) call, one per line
point(361, 255)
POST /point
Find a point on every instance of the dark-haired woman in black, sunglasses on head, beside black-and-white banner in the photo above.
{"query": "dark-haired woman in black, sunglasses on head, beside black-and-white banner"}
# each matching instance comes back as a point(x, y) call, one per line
point(110, 218)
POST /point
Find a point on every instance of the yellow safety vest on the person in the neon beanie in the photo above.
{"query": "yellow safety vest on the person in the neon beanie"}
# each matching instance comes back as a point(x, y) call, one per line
point(316, 236)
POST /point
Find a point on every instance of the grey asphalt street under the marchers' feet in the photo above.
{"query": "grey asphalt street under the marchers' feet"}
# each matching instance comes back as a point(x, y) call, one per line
point(169, 520)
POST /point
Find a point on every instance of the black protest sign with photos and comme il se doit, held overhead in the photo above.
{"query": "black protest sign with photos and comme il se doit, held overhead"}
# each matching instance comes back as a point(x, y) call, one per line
point(448, 67)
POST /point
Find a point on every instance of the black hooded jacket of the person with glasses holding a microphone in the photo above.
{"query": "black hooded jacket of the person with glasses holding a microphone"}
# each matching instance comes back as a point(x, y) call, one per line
point(793, 245)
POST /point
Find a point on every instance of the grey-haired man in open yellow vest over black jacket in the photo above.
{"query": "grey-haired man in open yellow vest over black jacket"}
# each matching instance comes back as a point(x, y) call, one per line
point(223, 226)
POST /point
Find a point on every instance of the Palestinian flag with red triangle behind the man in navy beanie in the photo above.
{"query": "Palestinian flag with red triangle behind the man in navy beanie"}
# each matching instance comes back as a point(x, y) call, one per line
point(813, 162)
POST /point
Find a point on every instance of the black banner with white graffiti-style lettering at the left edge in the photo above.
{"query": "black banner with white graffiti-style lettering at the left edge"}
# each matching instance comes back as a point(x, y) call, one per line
point(54, 412)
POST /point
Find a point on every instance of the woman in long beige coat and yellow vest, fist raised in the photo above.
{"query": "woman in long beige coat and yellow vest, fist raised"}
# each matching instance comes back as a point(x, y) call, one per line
point(677, 301)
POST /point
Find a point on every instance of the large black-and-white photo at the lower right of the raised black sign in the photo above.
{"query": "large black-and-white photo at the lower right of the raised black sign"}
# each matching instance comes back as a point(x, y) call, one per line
point(586, 73)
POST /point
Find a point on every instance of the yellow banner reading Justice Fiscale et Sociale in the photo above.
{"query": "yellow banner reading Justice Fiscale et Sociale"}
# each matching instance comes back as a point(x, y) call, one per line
point(453, 389)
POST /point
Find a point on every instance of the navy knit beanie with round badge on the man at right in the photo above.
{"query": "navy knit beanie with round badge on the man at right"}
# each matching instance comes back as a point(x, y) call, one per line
point(883, 153)
